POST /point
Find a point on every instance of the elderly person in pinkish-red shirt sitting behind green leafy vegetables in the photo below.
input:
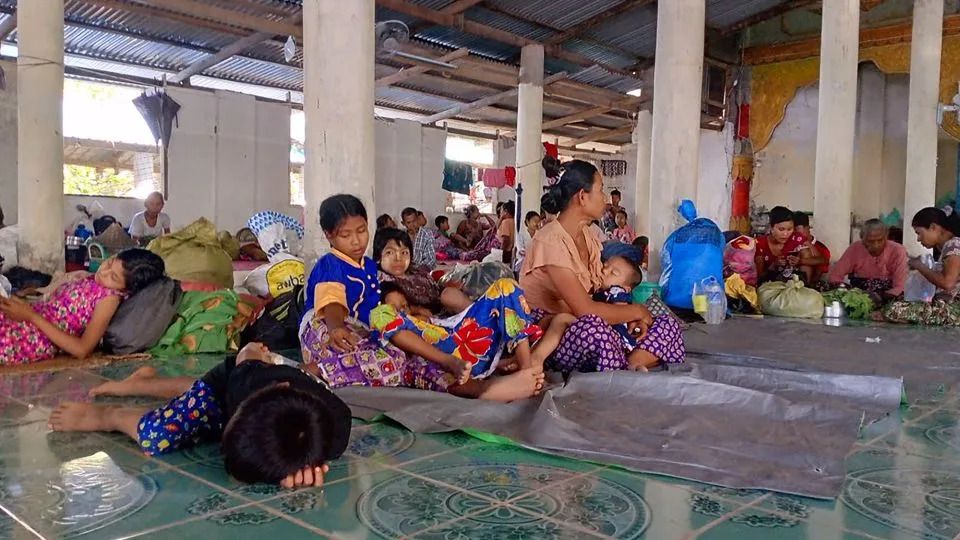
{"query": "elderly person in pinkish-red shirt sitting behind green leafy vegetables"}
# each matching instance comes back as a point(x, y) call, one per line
point(875, 264)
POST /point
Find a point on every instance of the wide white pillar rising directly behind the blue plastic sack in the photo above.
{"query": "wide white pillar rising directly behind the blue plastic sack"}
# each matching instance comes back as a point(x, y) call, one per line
point(675, 146)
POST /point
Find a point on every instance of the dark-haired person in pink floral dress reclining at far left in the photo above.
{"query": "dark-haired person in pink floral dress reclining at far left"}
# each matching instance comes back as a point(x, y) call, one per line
point(75, 317)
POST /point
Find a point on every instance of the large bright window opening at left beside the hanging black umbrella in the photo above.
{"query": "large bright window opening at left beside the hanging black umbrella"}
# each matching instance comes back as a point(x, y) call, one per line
point(108, 148)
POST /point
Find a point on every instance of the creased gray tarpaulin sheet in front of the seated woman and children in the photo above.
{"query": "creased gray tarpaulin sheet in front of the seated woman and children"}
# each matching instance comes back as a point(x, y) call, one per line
point(732, 426)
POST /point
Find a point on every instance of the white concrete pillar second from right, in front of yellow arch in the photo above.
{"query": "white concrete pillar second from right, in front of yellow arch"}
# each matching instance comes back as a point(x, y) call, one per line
point(836, 123)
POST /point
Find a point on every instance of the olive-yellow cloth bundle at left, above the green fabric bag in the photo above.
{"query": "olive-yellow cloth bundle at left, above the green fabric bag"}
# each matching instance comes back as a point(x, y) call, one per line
point(198, 256)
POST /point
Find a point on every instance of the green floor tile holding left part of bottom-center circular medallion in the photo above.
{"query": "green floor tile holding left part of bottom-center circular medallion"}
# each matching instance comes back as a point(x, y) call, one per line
point(385, 504)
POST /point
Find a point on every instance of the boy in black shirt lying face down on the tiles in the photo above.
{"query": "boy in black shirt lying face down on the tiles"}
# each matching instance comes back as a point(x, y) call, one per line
point(276, 422)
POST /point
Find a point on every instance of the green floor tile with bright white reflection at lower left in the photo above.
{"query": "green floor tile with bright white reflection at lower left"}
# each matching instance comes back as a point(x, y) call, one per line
point(94, 495)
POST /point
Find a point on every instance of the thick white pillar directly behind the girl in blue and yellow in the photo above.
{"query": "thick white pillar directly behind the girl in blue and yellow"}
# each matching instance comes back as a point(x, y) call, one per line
point(338, 74)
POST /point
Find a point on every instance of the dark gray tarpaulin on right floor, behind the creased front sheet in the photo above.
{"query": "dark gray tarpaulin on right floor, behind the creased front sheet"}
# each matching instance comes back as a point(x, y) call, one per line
point(928, 359)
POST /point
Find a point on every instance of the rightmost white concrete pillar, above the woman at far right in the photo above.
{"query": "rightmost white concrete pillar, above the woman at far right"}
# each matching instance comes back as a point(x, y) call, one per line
point(925, 49)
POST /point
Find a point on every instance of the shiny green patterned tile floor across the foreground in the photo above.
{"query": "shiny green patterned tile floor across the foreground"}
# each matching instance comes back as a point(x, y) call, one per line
point(903, 482)
